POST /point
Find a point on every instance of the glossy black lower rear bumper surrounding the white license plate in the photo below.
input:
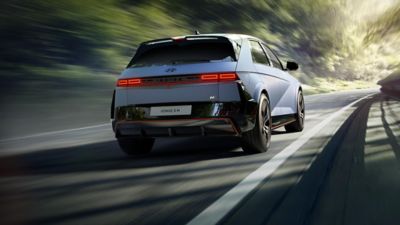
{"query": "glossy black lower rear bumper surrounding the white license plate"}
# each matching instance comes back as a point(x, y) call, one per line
point(206, 119)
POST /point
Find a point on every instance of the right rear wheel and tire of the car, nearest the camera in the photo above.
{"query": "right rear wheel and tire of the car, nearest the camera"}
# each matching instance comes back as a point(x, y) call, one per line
point(258, 139)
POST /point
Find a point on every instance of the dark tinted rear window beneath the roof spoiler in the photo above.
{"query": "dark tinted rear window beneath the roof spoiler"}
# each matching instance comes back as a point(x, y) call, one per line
point(183, 52)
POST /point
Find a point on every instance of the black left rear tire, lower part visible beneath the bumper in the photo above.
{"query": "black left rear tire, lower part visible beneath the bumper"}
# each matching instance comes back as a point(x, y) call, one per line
point(136, 146)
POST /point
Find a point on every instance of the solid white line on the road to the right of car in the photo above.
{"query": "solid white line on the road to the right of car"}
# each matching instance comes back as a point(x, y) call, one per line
point(226, 203)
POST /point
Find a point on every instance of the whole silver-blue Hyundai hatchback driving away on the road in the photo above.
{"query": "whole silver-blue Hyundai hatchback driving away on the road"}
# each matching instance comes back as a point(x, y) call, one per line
point(205, 85)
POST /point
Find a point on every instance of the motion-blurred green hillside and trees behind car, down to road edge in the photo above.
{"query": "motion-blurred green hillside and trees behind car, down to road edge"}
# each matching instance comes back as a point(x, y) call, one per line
point(60, 59)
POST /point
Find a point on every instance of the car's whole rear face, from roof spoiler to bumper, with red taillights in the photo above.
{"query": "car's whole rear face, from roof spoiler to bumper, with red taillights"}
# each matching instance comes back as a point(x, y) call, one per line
point(185, 86)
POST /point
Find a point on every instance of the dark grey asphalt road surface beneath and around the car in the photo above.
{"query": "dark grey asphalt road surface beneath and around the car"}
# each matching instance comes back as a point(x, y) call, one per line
point(347, 172)
